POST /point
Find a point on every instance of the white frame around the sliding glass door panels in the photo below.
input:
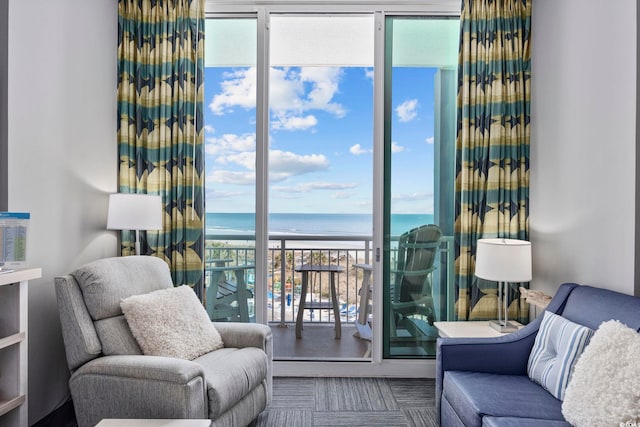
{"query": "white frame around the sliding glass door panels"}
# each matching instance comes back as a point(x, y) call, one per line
point(262, 10)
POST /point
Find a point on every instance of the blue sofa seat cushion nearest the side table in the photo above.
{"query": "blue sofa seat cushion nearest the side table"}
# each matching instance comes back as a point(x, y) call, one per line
point(473, 395)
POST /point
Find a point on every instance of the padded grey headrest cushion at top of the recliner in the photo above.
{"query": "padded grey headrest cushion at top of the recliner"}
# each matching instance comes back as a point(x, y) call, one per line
point(105, 282)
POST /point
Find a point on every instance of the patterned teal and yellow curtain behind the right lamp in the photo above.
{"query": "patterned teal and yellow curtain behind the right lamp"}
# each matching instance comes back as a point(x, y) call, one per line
point(492, 146)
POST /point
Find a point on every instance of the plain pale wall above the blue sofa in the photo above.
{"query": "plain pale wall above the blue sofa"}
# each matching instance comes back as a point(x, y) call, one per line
point(583, 123)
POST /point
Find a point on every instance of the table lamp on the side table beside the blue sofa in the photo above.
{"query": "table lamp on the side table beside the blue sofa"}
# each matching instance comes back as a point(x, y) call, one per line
point(504, 261)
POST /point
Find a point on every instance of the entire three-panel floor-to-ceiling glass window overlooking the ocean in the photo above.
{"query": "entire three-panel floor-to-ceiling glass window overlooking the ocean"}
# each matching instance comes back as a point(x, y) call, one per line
point(298, 164)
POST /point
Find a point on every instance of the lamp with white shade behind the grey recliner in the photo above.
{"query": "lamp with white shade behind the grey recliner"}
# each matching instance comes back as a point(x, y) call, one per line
point(134, 212)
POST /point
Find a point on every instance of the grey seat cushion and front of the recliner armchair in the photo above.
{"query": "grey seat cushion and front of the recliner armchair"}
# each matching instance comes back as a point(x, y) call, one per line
point(231, 374)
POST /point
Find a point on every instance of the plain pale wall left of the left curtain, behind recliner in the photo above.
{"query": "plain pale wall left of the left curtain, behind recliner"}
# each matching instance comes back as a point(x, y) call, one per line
point(62, 159)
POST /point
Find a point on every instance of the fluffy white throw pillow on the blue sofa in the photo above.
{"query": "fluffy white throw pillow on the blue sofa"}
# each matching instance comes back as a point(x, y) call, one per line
point(605, 387)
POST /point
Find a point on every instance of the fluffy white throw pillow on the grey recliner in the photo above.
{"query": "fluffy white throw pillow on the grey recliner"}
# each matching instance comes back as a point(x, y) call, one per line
point(171, 322)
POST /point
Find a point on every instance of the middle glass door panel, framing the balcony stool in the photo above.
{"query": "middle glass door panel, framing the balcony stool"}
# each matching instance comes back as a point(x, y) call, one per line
point(320, 180)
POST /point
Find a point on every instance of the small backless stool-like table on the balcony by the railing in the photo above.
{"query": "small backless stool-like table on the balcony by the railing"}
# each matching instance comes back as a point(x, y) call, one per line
point(313, 305)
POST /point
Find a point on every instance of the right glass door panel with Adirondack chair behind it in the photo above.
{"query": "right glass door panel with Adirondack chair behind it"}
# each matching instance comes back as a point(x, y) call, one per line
point(420, 93)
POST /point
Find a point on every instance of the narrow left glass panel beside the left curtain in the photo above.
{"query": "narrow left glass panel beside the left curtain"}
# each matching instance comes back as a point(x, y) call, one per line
point(230, 150)
